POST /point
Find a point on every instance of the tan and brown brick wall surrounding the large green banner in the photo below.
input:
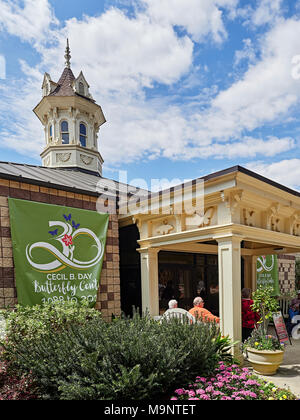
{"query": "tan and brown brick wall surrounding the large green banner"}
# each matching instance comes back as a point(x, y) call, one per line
point(108, 299)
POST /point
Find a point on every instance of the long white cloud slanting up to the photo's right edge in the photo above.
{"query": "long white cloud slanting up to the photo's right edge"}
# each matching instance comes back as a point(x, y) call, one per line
point(265, 93)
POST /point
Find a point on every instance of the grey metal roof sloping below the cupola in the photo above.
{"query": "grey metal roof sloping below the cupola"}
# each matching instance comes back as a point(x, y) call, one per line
point(74, 180)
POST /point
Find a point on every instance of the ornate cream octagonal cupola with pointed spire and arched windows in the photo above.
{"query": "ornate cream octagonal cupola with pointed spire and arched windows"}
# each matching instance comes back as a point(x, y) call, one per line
point(71, 120)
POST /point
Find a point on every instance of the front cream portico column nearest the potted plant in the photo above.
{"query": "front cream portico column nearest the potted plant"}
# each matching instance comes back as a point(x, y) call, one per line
point(229, 254)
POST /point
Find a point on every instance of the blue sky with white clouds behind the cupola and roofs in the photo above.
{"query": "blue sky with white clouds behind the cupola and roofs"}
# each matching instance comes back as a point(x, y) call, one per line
point(188, 87)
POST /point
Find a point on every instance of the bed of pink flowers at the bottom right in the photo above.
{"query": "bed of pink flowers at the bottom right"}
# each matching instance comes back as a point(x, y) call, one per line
point(232, 383)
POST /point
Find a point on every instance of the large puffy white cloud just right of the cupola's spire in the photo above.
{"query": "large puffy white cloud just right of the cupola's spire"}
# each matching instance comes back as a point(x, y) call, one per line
point(127, 54)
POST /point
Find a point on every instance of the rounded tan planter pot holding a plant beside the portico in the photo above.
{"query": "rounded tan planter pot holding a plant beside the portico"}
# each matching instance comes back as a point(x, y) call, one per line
point(265, 362)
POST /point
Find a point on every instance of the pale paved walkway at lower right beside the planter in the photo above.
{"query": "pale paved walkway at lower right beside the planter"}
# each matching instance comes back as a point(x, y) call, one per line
point(288, 375)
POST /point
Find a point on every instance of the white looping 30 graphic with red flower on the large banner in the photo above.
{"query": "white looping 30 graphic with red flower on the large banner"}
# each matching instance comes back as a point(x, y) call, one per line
point(67, 240)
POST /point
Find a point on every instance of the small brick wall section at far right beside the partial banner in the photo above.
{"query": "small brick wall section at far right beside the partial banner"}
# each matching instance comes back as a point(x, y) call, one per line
point(286, 269)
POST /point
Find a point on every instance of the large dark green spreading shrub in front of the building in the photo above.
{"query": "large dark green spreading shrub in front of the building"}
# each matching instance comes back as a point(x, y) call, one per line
point(134, 358)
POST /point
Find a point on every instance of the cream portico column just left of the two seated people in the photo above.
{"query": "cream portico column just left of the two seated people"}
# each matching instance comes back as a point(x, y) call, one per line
point(149, 278)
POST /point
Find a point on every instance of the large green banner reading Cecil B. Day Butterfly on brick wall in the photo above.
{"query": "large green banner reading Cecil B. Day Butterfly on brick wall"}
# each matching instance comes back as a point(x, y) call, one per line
point(58, 252)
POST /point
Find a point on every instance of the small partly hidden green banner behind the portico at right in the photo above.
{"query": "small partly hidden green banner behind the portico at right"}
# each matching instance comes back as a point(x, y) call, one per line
point(267, 272)
